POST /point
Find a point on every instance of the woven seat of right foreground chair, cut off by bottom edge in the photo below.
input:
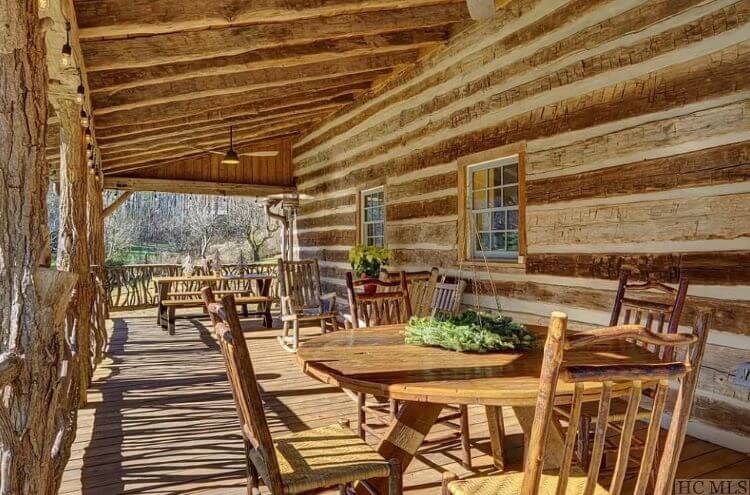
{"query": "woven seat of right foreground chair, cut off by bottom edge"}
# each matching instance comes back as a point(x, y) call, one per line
point(510, 484)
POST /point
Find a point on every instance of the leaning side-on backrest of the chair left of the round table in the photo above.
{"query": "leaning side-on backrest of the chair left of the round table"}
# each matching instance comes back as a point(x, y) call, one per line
point(245, 389)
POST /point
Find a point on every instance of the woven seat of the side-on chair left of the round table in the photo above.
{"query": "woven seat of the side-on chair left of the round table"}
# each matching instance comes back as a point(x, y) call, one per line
point(327, 456)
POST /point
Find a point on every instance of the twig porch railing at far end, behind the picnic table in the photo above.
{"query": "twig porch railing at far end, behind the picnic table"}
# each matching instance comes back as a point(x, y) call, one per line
point(131, 286)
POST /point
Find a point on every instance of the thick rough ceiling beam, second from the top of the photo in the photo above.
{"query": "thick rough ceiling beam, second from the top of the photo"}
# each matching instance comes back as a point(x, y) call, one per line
point(142, 51)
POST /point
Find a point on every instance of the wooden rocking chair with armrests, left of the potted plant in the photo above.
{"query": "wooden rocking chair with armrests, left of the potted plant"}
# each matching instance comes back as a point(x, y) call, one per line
point(302, 301)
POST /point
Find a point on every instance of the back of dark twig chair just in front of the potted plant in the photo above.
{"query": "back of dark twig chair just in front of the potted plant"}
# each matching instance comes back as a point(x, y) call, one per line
point(388, 305)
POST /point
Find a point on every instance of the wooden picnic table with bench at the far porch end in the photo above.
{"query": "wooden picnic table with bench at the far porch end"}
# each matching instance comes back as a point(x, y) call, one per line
point(184, 293)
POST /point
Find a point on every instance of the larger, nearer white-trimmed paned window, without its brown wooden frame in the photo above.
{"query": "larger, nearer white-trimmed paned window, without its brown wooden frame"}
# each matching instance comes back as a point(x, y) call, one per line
point(492, 209)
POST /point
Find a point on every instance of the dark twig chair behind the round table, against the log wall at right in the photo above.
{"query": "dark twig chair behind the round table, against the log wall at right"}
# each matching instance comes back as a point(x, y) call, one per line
point(661, 316)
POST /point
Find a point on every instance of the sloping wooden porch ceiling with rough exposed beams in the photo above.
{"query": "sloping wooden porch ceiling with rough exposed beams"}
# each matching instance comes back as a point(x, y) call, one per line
point(168, 77)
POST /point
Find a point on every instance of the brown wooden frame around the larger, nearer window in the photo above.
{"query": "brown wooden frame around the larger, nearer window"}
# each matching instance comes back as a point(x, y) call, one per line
point(464, 246)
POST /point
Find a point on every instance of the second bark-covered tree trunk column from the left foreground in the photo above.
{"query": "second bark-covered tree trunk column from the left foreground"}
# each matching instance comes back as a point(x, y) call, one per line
point(73, 244)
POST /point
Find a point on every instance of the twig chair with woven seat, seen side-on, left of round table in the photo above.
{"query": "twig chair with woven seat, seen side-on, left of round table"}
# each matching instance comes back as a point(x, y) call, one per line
point(304, 461)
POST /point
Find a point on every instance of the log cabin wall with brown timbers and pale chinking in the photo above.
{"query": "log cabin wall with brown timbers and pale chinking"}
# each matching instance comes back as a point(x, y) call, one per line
point(635, 120)
